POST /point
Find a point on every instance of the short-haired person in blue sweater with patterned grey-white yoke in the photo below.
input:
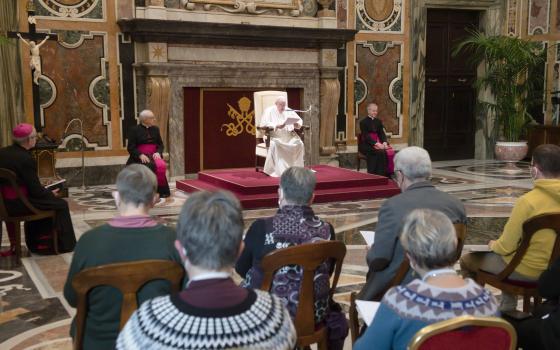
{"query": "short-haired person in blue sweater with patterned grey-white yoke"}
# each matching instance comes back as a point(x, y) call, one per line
point(430, 243)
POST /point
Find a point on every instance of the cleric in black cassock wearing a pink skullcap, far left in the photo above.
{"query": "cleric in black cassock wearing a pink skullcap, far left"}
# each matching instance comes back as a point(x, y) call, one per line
point(38, 234)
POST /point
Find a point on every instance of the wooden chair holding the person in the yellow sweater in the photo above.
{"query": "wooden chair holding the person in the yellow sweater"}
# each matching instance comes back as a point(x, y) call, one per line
point(502, 280)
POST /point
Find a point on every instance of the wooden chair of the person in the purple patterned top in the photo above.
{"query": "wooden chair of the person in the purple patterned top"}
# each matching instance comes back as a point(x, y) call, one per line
point(308, 257)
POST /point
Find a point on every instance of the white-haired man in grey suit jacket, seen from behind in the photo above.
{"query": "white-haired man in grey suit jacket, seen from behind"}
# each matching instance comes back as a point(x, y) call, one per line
point(413, 169)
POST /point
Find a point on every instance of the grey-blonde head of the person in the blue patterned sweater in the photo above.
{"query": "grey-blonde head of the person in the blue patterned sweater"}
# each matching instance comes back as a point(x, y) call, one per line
point(429, 238)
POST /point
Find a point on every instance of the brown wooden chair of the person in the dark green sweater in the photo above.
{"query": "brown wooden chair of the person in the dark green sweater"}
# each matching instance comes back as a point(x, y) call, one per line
point(128, 278)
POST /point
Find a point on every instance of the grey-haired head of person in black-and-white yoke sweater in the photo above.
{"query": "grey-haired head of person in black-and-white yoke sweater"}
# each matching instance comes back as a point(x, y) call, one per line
point(210, 228)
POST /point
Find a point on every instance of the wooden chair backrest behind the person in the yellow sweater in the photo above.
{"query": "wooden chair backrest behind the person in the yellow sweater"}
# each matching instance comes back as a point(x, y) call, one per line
point(530, 227)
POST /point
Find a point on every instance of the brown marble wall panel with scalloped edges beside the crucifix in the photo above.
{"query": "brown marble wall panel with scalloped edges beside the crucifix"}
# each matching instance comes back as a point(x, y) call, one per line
point(76, 74)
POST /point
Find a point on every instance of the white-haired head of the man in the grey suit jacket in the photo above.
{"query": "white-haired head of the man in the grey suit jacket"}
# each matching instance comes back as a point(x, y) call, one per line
point(414, 163)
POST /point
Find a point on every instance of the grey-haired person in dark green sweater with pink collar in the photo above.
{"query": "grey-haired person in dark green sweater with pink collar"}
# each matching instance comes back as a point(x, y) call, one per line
point(132, 235)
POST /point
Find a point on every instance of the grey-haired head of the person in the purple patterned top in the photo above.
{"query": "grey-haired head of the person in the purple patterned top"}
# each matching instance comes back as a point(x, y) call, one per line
point(298, 184)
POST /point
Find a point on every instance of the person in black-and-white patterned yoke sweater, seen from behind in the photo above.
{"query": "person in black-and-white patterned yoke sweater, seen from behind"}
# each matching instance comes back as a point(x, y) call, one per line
point(212, 312)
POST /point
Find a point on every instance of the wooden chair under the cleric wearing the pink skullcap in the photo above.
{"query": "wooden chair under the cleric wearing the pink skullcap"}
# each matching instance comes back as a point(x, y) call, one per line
point(8, 179)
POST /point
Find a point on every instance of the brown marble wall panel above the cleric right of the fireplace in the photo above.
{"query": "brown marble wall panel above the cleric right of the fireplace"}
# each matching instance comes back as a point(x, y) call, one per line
point(379, 67)
